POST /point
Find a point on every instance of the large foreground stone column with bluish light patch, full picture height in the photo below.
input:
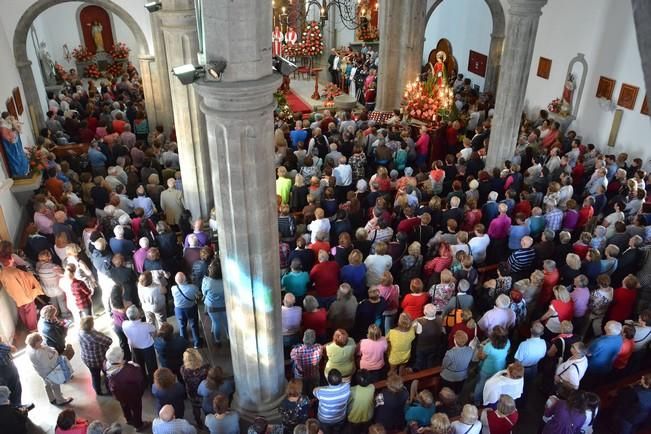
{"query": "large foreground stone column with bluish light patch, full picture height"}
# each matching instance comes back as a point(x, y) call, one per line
point(239, 122)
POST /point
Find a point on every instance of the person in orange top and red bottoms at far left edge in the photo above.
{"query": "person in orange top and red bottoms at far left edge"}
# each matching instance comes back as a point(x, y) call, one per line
point(23, 288)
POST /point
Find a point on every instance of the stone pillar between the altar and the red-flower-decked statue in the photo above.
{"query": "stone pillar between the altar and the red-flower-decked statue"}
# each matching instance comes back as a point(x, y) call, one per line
point(402, 25)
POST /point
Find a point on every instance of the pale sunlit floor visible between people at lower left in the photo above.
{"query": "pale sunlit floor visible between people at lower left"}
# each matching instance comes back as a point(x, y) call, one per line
point(86, 403)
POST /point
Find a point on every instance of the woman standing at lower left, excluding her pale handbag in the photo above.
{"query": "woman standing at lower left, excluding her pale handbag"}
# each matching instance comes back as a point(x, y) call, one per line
point(45, 360)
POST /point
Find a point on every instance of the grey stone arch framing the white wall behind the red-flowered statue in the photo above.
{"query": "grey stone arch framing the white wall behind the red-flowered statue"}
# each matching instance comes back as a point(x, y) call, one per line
point(496, 44)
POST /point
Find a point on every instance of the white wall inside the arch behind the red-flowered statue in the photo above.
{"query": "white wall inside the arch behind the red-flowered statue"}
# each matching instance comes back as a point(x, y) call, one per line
point(467, 24)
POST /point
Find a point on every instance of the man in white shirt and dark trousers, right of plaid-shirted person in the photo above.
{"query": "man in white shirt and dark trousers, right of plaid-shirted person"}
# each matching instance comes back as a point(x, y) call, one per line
point(141, 339)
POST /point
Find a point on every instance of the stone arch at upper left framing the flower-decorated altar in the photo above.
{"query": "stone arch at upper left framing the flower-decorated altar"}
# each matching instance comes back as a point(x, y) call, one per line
point(24, 64)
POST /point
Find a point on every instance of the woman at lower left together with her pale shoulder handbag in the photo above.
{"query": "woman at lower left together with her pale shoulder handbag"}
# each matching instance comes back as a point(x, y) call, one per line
point(53, 368)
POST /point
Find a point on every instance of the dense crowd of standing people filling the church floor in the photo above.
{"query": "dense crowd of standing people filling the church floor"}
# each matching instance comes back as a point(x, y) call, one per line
point(399, 253)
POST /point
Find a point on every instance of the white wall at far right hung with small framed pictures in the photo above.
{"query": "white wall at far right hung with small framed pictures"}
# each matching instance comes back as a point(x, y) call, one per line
point(611, 50)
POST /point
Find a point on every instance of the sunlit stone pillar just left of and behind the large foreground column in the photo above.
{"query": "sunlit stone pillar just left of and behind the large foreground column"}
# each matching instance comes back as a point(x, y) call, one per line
point(179, 30)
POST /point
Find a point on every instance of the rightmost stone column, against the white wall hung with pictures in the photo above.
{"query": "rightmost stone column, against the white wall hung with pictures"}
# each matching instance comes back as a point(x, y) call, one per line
point(514, 70)
